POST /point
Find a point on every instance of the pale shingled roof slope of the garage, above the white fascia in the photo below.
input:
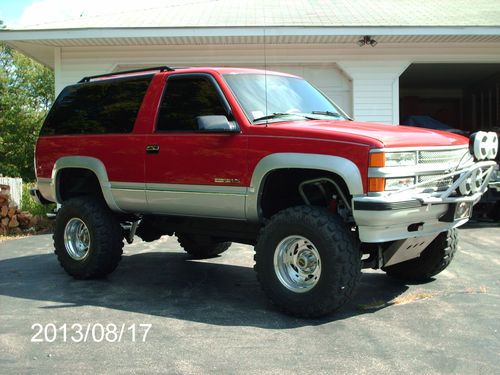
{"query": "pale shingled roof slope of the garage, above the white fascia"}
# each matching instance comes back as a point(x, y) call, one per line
point(306, 13)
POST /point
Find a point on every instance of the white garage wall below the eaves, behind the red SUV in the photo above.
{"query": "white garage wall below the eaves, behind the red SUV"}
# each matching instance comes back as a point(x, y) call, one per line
point(364, 81)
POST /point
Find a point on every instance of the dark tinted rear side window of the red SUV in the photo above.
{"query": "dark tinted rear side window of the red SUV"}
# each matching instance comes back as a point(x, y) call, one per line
point(108, 106)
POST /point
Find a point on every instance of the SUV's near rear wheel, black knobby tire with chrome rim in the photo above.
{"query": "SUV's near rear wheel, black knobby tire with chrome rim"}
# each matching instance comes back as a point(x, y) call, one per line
point(88, 239)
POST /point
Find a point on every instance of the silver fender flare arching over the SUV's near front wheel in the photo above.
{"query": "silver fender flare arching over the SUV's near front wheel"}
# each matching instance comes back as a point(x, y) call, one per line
point(343, 167)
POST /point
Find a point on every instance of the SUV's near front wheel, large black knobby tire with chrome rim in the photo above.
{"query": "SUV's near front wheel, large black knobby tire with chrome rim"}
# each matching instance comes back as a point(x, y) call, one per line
point(307, 261)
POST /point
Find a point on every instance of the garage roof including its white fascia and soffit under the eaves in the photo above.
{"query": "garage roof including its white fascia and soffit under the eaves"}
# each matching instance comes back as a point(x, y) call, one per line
point(224, 22)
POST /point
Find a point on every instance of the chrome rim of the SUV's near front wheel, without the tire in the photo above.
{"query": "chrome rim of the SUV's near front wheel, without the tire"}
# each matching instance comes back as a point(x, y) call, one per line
point(297, 264)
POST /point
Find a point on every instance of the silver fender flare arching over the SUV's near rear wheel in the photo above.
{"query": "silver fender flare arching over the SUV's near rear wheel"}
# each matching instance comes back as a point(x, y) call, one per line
point(84, 162)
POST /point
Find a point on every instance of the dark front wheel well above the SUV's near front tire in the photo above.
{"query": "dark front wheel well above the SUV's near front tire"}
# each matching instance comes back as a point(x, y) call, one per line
point(281, 189)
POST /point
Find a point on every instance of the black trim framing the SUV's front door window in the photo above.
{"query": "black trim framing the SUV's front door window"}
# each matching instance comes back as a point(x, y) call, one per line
point(220, 94)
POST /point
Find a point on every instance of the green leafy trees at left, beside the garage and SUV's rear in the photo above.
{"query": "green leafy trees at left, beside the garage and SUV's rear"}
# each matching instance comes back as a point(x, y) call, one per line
point(26, 94)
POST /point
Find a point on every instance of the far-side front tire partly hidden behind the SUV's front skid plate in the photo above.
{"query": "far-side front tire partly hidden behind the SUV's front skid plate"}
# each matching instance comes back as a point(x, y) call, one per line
point(433, 260)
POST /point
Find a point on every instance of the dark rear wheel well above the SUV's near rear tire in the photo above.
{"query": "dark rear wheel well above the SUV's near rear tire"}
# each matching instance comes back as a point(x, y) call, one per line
point(73, 182)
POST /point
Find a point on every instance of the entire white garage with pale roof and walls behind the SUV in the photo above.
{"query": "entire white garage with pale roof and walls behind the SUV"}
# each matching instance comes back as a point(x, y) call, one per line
point(355, 52)
